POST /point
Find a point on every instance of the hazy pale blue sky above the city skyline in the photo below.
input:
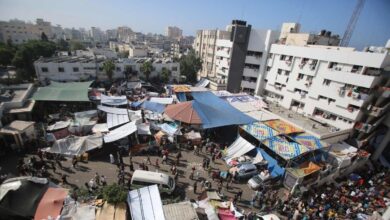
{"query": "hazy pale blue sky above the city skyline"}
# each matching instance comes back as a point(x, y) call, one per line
point(373, 27)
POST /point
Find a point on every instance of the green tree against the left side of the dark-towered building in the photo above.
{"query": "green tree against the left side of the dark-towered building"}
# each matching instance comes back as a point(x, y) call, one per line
point(190, 64)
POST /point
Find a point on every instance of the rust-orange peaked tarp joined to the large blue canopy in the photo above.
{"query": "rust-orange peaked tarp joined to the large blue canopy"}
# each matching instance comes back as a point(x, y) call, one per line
point(183, 112)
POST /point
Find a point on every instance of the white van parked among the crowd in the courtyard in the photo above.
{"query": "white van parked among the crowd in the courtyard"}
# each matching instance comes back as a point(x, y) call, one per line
point(141, 178)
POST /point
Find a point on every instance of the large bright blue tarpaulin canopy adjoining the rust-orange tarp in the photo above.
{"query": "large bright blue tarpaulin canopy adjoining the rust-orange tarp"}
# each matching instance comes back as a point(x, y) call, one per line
point(215, 112)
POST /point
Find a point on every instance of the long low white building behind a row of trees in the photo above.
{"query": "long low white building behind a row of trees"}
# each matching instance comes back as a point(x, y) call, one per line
point(76, 68)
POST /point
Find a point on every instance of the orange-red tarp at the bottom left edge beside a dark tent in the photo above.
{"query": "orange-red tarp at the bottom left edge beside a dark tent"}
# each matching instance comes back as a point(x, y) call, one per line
point(51, 203)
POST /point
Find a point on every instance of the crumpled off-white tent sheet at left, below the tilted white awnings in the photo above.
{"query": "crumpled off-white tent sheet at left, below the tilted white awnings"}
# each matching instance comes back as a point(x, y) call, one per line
point(74, 146)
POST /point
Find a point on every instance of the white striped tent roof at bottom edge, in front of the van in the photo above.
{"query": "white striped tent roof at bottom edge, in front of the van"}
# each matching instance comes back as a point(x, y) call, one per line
point(145, 204)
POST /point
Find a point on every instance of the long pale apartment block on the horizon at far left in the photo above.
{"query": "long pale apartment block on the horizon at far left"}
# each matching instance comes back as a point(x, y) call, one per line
point(19, 31)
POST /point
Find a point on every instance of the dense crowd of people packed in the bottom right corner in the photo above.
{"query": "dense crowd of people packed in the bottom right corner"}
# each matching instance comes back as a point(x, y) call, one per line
point(359, 196)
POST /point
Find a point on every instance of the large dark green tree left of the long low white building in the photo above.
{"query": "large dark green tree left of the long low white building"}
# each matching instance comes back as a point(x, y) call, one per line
point(29, 52)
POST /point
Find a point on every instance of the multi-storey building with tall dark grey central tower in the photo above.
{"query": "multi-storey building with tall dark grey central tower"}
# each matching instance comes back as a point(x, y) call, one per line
point(234, 59)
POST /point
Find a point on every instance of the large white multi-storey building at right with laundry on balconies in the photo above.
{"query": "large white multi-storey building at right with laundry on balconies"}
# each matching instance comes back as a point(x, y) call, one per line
point(334, 85)
